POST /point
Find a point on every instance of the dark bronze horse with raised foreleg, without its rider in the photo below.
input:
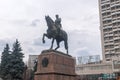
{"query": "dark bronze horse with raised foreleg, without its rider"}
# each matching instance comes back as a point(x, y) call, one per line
point(53, 33)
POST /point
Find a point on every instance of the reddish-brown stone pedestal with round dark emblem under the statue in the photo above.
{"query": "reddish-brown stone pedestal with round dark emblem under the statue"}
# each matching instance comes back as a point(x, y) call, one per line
point(54, 65)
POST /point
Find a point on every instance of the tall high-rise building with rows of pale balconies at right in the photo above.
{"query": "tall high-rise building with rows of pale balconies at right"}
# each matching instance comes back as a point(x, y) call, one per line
point(110, 28)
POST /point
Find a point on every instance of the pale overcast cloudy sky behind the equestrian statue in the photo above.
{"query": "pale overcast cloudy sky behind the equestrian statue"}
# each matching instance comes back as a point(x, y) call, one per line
point(25, 20)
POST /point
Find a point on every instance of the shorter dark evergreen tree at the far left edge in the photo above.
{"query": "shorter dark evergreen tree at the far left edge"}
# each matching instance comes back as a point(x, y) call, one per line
point(5, 59)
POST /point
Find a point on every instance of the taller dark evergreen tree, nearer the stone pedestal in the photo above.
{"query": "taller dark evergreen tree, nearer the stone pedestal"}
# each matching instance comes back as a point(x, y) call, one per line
point(17, 67)
